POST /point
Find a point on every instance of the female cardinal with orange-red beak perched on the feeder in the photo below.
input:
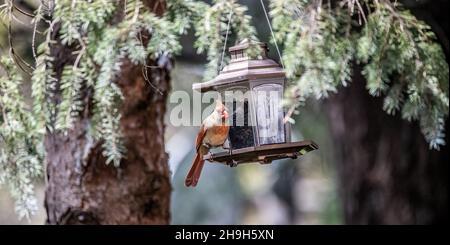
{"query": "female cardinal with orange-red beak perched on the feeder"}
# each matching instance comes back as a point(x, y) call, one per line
point(213, 133)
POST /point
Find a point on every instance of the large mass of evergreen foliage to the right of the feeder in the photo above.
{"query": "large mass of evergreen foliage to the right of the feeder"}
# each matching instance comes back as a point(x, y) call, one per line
point(400, 57)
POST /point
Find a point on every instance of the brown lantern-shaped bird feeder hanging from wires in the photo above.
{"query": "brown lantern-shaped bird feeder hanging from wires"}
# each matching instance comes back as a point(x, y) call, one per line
point(258, 132)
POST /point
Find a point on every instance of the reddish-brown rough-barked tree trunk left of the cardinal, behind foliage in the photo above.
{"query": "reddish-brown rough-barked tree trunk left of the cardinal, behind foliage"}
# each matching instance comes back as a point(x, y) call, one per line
point(81, 188)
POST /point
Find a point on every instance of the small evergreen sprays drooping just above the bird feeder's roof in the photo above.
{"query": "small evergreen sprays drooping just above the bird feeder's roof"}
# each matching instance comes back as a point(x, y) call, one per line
point(210, 24)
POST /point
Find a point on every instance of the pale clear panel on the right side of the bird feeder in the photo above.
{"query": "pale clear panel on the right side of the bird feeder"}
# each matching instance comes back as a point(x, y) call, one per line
point(269, 113)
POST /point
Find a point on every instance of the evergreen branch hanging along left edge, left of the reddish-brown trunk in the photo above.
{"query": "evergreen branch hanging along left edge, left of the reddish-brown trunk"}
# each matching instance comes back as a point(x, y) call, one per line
point(21, 149)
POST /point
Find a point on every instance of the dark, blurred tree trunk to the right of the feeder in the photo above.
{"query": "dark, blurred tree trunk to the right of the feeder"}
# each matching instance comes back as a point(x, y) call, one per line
point(388, 174)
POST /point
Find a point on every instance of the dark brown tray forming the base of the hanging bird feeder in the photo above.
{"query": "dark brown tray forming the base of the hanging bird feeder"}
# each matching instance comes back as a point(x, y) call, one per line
point(263, 154)
